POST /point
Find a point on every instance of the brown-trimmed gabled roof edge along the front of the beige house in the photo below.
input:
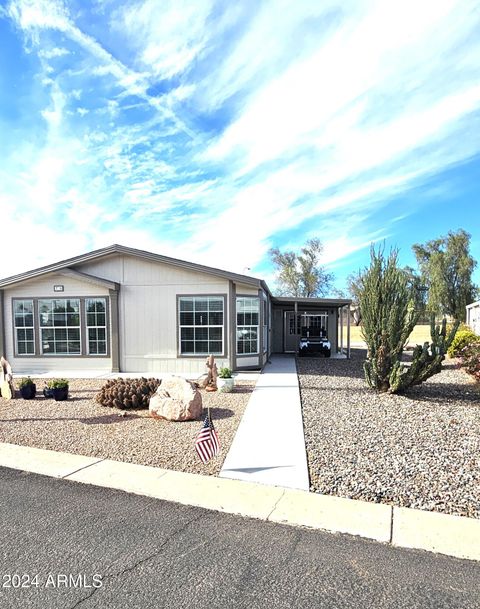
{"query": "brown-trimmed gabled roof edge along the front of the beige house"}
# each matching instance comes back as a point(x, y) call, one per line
point(65, 265)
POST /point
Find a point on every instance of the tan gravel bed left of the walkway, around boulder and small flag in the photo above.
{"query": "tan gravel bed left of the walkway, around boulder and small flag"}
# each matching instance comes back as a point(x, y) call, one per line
point(80, 425)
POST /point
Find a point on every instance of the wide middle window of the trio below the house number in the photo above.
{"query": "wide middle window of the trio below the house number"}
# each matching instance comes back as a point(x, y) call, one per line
point(59, 326)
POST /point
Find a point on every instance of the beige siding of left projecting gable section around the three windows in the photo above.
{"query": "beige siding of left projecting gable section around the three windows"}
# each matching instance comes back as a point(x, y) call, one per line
point(43, 288)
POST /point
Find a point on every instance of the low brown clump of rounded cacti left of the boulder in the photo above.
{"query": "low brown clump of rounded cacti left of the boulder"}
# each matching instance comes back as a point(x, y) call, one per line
point(127, 393)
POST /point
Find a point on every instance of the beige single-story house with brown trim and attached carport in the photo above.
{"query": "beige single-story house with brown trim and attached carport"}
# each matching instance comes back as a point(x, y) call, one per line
point(120, 309)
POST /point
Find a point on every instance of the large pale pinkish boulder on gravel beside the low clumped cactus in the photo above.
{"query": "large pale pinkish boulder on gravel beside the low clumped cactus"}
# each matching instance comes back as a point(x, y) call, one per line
point(176, 400)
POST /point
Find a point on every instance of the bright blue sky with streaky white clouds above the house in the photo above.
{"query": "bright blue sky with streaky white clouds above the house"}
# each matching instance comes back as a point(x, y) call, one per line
point(212, 131)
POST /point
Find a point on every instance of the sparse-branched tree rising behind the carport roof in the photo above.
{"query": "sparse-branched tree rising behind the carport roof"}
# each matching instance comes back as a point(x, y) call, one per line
point(301, 275)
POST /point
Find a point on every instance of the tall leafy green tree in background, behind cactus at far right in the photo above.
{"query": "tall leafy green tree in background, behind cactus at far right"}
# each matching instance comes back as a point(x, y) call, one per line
point(446, 268)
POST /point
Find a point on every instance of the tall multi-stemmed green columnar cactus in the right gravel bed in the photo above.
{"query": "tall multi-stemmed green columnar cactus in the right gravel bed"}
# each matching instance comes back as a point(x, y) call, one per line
point(387, 302)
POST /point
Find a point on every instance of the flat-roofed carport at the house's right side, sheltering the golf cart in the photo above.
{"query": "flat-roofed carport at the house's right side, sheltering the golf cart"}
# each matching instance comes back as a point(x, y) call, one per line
point(290, 314)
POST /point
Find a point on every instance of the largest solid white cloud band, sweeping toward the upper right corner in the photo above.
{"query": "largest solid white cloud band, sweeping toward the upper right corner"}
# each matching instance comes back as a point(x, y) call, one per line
point(350, 72)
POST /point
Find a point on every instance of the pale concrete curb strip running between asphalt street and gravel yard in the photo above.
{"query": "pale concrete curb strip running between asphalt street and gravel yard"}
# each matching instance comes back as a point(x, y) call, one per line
point(402, 527)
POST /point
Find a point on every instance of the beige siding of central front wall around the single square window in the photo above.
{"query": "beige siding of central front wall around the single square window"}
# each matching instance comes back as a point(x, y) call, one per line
point(148, 312)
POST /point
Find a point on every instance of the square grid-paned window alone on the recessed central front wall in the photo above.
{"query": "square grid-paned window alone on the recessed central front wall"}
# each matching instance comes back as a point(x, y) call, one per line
point(201, 325)
